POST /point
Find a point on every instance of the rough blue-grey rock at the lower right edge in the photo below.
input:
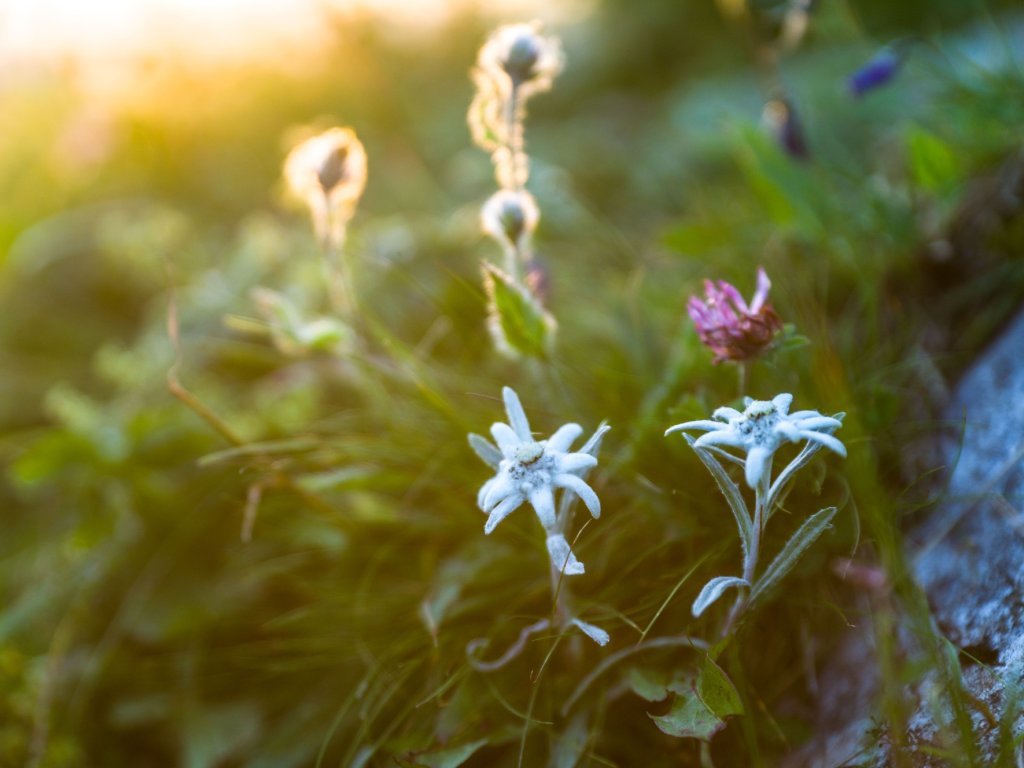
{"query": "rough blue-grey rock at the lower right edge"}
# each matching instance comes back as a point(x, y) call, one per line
point(969, 559)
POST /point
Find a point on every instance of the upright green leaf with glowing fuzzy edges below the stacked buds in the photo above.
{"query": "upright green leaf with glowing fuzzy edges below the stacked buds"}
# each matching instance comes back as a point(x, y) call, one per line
point(518, 323)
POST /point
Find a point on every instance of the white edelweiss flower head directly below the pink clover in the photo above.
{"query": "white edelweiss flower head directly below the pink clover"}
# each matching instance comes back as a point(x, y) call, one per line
point(761, 430)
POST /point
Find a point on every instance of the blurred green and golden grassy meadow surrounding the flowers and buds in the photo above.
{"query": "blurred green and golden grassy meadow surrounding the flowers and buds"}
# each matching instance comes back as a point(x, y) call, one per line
point(137, 627)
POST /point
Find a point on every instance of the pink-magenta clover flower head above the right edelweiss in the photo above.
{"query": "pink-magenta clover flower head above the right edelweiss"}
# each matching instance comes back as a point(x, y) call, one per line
point(731, 328)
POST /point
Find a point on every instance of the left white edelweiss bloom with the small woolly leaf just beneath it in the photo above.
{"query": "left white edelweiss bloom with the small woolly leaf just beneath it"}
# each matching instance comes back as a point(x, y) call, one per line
point(532, 471)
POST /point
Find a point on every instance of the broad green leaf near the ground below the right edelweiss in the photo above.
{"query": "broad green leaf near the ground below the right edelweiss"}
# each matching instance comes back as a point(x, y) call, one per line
point(701, 711)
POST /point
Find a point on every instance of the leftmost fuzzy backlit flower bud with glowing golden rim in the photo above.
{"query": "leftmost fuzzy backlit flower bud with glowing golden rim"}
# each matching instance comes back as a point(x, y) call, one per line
point(329, 173)
